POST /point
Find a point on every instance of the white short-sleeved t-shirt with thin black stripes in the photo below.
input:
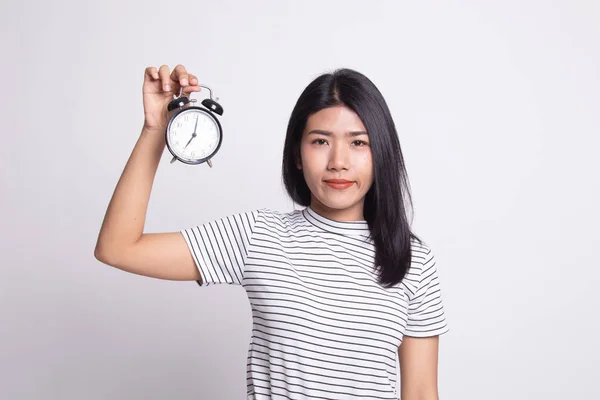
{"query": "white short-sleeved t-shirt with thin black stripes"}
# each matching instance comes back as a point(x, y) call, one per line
point(322, 326)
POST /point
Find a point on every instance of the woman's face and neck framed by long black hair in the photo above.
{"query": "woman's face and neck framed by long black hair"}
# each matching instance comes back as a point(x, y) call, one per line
point(337, 163)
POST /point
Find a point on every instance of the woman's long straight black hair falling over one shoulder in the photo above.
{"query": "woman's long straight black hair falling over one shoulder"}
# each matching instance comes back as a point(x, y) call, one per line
point(384, 207)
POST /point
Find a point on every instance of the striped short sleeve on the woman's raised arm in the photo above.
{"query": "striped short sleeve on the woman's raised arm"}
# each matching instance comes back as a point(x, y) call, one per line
point(219, 248)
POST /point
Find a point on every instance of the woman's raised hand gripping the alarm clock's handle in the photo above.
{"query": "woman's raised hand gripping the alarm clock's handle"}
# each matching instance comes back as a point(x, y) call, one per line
point(158, 90)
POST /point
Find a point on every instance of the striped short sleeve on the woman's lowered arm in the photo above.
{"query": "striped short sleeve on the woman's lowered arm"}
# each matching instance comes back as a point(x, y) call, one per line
point(426, 315)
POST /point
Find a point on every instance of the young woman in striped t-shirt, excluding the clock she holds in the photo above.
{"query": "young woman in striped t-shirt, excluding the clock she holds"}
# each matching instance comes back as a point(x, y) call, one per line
point(338, 288)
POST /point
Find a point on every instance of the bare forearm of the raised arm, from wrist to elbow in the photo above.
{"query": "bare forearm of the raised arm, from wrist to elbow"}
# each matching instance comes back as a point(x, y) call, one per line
point(126, 213)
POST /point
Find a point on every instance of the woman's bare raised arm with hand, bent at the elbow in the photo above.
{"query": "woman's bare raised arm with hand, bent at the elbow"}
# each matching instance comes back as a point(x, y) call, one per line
point(122, 242)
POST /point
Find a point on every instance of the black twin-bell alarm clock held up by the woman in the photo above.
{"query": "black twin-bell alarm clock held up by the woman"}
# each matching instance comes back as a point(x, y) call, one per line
point(194, 133)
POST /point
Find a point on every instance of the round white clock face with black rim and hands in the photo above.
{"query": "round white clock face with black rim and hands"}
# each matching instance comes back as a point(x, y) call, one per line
point(193, 135)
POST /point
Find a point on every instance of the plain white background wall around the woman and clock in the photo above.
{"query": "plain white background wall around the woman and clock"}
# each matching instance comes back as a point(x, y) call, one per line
point(497, 106)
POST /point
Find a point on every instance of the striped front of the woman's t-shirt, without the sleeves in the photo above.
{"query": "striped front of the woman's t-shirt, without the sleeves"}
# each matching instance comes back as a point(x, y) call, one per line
point(322, 325)
